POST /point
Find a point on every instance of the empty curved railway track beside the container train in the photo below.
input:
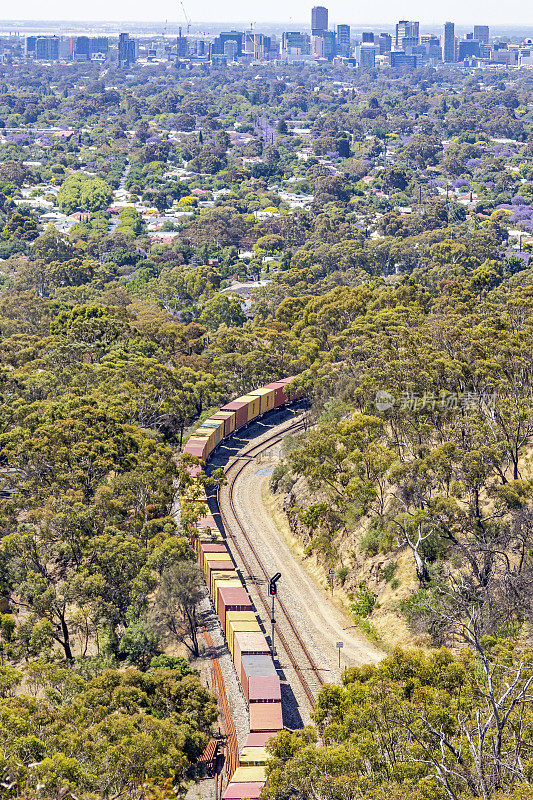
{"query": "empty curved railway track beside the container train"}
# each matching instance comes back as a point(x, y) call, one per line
point(286, 631)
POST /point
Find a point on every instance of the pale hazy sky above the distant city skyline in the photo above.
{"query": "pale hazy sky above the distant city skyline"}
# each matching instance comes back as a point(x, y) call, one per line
point(510, 12)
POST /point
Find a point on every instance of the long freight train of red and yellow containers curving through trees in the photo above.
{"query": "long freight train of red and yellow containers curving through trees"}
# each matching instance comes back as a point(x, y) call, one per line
point(246, 642)
